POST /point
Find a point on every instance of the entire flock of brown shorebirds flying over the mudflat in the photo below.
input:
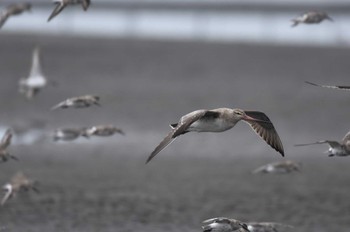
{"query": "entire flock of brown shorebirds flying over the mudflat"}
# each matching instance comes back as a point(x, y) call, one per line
point(215, 120)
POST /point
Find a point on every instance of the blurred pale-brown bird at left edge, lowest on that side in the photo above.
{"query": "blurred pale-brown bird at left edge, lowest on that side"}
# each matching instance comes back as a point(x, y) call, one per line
point(18, 182)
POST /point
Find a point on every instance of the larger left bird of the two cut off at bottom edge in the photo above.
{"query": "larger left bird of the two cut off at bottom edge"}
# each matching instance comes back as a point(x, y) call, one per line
point(222, 224)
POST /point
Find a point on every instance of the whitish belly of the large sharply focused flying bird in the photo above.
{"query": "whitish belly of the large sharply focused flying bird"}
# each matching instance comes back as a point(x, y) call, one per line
point(217, 125)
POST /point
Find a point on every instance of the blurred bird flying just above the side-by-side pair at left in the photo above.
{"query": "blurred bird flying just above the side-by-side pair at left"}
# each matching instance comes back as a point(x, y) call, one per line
point(78, 102)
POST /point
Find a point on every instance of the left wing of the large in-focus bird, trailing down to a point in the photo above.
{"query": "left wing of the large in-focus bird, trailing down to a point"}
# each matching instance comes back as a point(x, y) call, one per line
point(180, 129)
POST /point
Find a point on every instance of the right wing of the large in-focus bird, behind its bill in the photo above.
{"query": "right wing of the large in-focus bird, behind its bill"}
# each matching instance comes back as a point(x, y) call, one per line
point(265, 129)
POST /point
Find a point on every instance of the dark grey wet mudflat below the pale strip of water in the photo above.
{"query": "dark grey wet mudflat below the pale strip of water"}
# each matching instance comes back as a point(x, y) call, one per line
point(145, 85)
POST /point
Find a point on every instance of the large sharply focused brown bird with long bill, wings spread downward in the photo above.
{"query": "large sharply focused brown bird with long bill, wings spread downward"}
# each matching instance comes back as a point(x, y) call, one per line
point(219, 120)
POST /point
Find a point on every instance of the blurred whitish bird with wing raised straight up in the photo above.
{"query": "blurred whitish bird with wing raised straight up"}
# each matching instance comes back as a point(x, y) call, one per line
point(31, 85)
